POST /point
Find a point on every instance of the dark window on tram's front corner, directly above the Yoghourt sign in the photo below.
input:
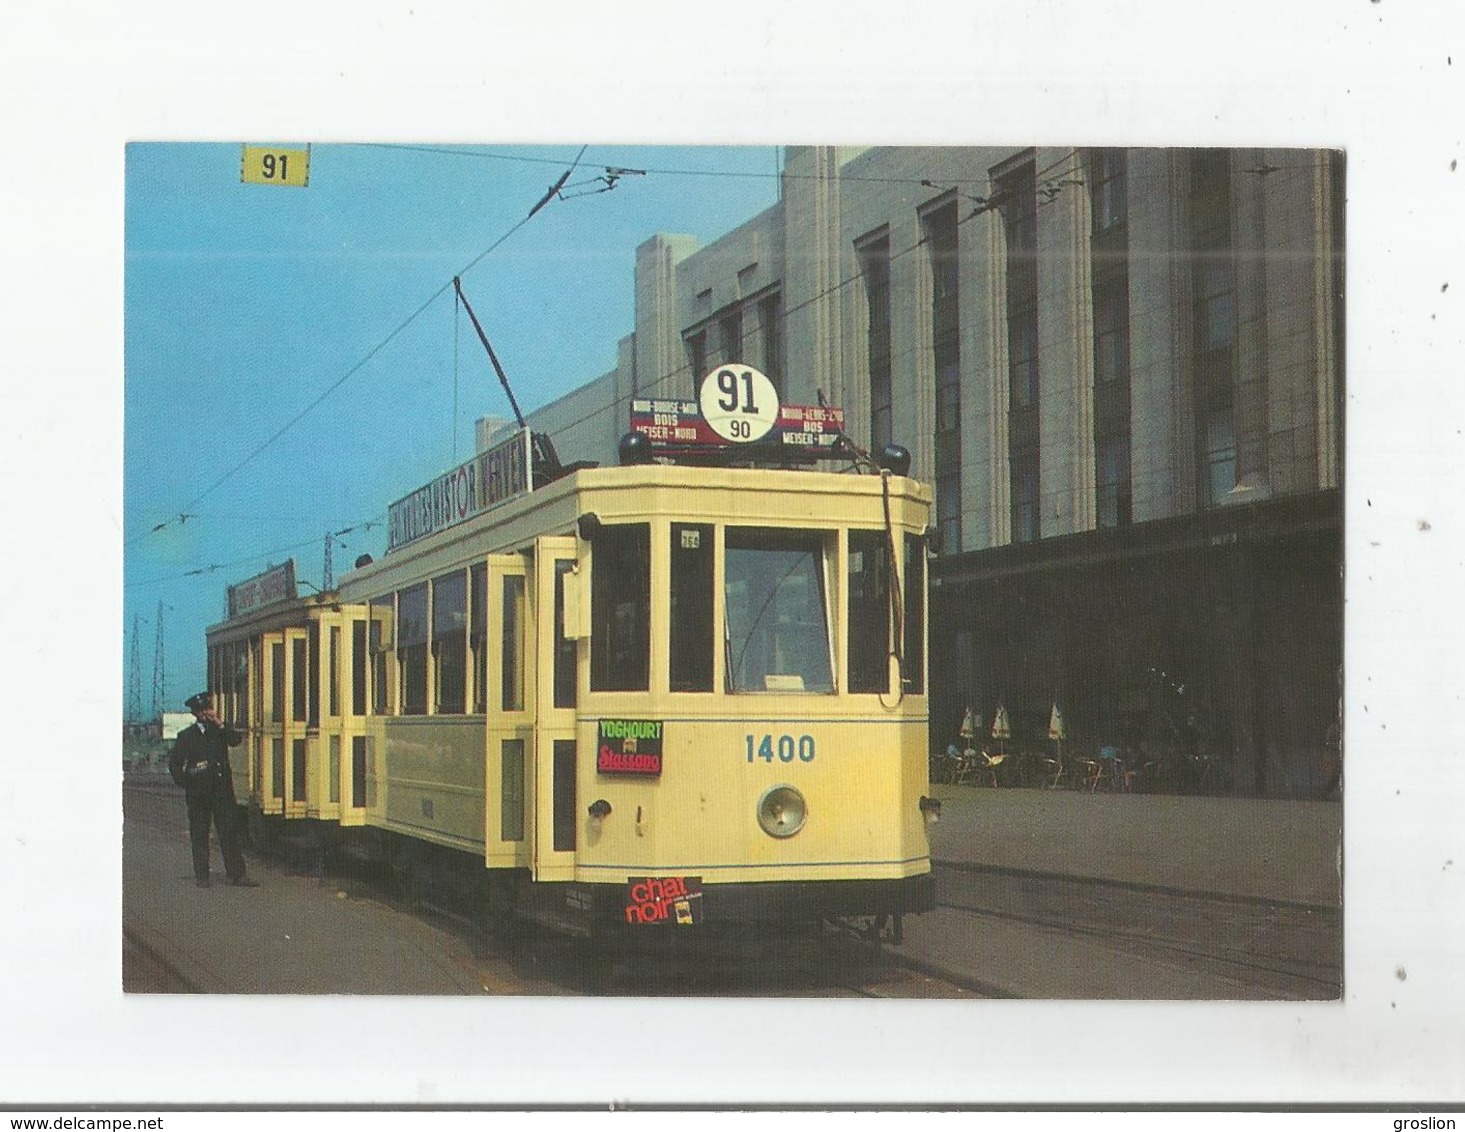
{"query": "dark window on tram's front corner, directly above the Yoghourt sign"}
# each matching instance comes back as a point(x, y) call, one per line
point(620, 608)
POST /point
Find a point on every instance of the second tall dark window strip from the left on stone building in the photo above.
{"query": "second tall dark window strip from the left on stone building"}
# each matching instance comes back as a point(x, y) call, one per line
point(946, 316)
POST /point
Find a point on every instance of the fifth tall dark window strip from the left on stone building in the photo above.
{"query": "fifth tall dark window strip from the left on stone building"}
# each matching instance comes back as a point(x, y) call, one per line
point(1214, 323)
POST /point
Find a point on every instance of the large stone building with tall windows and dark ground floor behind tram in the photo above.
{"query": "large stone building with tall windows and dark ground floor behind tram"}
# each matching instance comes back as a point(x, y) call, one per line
point(1123, 371)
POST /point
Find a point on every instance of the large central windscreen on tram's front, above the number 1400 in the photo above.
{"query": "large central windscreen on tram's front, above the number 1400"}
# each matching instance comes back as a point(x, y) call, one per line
point(777, 613)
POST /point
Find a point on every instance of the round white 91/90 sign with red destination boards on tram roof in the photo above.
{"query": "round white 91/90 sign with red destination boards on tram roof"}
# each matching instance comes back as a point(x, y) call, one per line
point(738, 406)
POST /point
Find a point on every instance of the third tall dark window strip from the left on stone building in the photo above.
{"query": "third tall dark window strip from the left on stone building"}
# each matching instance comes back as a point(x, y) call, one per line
point(1017, 194)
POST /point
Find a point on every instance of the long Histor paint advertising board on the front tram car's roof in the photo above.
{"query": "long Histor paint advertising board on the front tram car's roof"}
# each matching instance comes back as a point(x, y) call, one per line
point(492, 478)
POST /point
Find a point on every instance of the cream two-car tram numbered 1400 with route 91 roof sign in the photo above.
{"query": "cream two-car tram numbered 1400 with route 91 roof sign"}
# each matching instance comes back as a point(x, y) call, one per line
point(686, 692)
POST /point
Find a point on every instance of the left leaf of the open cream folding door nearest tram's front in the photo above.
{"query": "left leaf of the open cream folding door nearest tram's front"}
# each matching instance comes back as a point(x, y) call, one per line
point(509, 704)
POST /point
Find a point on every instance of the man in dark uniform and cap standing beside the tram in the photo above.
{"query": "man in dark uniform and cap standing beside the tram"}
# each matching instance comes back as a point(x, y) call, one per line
point(200, 765)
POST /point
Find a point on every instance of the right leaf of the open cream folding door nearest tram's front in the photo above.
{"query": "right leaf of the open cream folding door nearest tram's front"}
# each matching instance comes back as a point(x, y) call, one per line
point(557, 808)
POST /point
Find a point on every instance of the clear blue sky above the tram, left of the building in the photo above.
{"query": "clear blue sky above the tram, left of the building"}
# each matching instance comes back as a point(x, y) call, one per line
point(245, 304)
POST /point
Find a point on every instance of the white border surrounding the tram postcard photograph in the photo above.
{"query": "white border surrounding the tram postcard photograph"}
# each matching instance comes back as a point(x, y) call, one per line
point(84, 80)
